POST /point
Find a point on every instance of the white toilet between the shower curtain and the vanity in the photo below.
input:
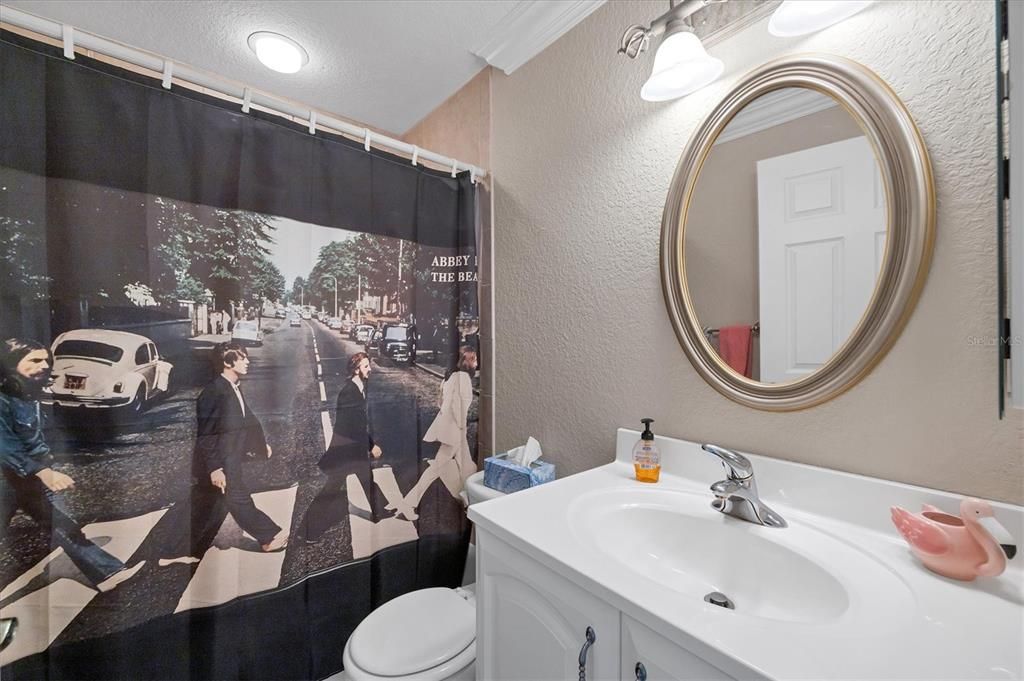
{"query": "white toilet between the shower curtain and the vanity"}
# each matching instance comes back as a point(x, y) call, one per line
point(437, 629)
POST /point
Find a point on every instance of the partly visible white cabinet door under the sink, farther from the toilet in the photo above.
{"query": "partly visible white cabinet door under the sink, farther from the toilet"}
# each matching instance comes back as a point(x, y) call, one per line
point(661, 659)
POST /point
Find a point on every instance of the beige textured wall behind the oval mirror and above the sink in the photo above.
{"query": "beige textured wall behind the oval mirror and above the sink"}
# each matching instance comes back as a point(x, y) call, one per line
point(583, 342)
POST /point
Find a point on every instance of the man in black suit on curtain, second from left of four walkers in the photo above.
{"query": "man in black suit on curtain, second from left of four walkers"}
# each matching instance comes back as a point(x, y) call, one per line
point(228, 436)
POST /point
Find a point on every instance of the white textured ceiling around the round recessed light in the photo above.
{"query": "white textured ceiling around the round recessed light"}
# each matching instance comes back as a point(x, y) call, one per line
point(387, 63)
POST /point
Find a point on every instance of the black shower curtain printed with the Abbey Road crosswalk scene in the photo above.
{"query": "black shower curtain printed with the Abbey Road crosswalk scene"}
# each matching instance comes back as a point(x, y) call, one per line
point(203, 477)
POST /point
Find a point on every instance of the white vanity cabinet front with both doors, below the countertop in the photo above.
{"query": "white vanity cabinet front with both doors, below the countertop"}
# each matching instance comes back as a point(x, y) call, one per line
point(532, 624)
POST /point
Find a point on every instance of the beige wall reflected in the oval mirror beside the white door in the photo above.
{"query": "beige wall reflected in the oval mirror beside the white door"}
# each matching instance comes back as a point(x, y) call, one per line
point(722, 228)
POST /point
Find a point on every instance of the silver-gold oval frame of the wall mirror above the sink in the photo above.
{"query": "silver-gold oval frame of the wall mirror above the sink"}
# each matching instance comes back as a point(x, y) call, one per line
point(907, 177)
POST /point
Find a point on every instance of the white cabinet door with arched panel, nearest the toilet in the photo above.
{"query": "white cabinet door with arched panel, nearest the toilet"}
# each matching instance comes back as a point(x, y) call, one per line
point(532, 623)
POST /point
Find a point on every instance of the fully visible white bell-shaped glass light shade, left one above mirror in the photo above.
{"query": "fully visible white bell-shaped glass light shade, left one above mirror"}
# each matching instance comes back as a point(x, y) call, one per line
point(681, 67)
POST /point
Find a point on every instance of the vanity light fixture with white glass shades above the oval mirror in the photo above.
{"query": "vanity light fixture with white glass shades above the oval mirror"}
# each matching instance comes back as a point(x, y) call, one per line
point(682, 66)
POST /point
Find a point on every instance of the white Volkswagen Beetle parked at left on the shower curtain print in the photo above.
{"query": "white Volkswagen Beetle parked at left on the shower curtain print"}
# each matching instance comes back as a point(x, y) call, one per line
point(104, 369)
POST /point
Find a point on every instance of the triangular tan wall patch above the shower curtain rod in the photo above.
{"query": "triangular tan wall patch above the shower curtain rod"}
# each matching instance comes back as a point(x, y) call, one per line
point(461, 126)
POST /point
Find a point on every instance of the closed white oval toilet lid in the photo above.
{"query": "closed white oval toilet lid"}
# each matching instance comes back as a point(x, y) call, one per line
point(414, 632)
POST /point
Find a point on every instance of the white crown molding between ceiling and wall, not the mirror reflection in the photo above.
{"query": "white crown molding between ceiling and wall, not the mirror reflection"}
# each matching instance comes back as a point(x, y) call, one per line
point(531, 27)
